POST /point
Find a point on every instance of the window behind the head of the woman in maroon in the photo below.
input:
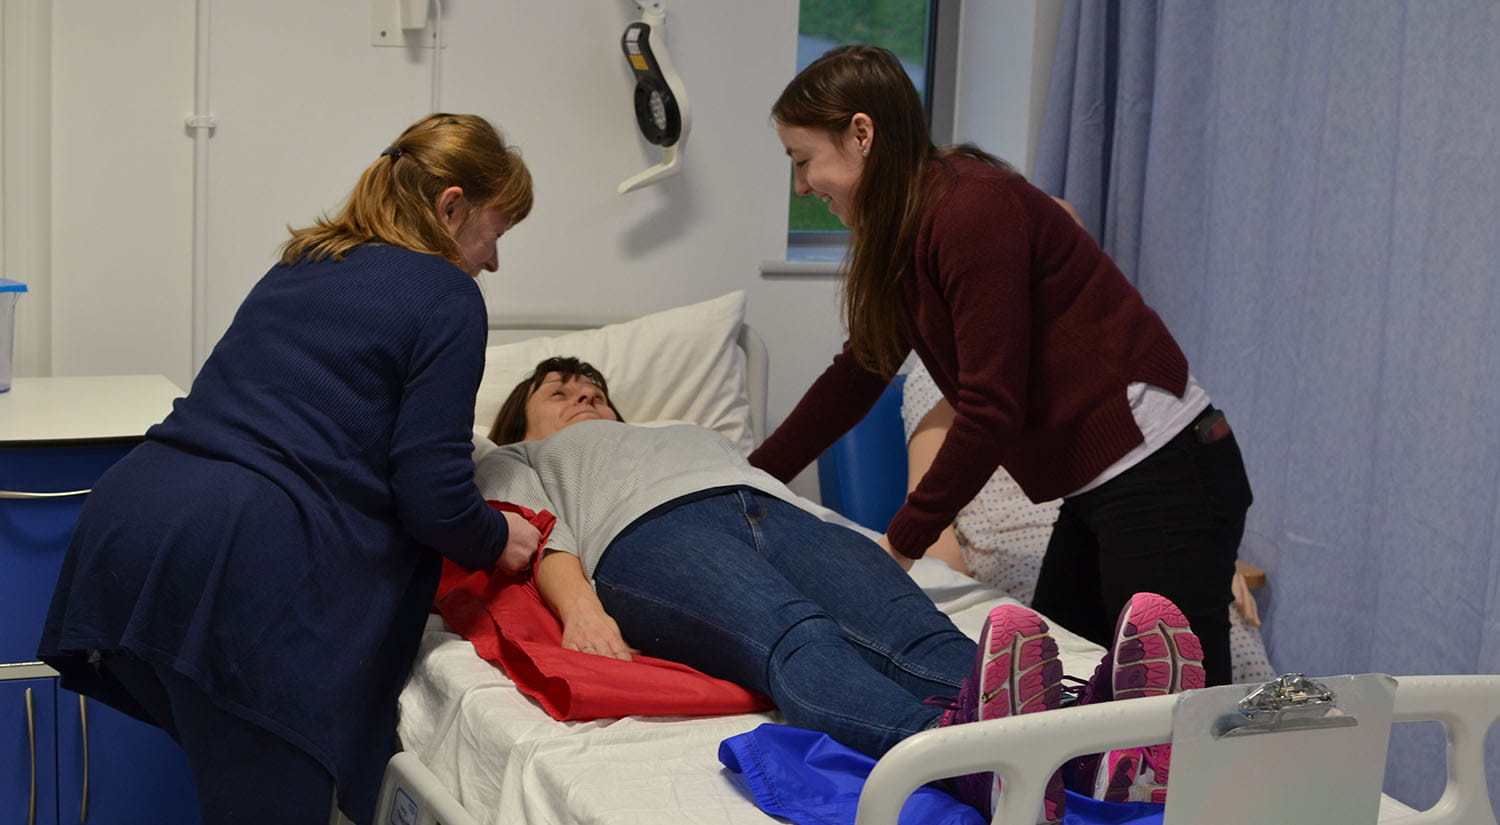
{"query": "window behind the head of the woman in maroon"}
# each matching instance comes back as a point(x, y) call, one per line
point(920, 37)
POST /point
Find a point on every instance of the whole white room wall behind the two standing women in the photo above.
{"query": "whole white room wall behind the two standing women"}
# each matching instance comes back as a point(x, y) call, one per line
point(304, 103)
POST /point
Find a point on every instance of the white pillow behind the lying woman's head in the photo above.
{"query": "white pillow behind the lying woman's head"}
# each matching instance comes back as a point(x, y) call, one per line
point(674, 365)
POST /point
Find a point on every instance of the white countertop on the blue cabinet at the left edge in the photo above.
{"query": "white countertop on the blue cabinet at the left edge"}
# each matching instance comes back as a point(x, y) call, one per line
point(85, 409)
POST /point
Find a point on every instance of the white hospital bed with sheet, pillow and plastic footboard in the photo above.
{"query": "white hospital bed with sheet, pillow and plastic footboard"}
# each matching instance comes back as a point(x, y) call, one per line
point(479, 752)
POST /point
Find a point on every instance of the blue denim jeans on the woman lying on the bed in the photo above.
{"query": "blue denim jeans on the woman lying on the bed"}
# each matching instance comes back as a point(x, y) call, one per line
point(749, 589)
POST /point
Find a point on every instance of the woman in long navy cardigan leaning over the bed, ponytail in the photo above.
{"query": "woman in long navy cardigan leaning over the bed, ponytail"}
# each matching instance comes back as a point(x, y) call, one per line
point(254, 578)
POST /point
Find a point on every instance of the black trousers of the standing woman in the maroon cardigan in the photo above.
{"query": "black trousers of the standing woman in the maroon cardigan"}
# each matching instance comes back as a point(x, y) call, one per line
point(1171, 526)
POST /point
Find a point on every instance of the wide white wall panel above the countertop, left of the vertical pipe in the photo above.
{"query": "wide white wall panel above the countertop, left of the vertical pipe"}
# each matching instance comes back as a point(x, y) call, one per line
point(121, 188)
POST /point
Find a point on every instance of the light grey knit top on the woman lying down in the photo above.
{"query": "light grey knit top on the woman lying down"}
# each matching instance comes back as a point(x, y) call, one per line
point(598, 478)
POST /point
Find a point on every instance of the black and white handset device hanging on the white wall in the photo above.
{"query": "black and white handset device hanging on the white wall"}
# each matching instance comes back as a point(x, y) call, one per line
point(659, 97)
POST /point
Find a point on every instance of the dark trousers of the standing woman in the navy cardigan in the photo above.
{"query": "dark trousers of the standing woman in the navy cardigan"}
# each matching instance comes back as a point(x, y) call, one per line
point(244, 773)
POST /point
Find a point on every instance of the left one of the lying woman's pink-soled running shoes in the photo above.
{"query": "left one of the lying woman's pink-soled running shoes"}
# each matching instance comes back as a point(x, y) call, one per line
point(1016, 671)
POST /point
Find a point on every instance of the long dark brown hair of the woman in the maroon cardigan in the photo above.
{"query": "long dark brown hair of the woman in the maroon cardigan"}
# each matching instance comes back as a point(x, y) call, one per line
point(889, 199)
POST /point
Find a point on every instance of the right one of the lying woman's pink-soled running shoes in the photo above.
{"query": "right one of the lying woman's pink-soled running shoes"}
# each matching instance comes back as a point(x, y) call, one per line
point(1154, 653)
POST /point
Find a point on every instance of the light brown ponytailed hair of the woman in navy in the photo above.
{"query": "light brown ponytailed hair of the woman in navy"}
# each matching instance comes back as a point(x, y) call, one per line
point(395, 200)
